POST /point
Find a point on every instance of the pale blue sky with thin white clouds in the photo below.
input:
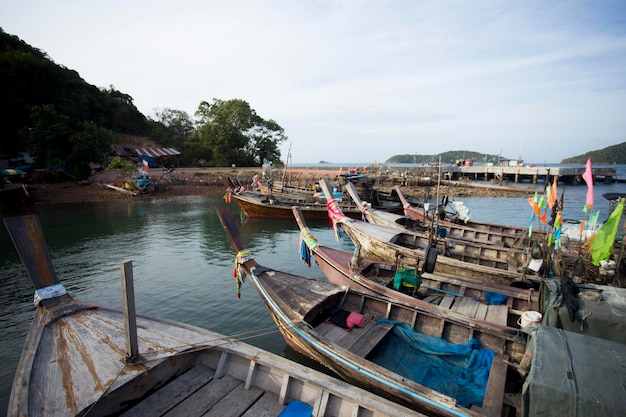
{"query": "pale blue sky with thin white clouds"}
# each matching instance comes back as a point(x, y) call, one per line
point(360, 81)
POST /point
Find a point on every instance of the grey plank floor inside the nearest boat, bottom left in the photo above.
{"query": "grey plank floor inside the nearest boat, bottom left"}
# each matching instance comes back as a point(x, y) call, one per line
point(198, 393)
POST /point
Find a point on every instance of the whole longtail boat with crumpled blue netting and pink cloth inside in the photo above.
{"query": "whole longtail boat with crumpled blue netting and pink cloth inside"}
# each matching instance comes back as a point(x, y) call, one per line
point(371, 340)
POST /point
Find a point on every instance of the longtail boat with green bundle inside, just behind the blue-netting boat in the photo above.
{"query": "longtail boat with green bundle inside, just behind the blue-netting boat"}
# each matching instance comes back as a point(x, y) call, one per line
point(495, 303)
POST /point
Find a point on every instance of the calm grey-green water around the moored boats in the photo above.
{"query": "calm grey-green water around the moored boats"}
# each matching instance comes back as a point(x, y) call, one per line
point(183, 263)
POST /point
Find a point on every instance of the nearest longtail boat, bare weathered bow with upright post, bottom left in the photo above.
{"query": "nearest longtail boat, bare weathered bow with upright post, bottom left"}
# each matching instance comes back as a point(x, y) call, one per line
point(83, 359)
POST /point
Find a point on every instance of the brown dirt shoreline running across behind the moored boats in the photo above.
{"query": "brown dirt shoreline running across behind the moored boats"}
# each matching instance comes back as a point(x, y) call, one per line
point(208, 182)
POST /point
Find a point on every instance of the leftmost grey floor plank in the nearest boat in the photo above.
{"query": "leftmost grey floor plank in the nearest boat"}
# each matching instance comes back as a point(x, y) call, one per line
point(173, 393)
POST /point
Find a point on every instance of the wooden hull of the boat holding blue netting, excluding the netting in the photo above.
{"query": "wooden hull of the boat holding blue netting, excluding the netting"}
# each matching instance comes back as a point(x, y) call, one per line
point(301, 306)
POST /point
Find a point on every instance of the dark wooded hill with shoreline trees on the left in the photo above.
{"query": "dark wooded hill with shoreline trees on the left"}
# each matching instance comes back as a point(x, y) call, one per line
point(49, 111)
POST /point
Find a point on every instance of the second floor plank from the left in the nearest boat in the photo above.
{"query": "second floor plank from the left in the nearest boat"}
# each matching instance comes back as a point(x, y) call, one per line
point(206, 397)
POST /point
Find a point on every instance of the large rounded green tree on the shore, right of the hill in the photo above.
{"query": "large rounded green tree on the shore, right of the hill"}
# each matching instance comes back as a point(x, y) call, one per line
point(234, 134)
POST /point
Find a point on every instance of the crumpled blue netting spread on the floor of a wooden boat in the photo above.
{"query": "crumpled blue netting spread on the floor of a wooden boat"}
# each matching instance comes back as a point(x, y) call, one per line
point(459, 371)
